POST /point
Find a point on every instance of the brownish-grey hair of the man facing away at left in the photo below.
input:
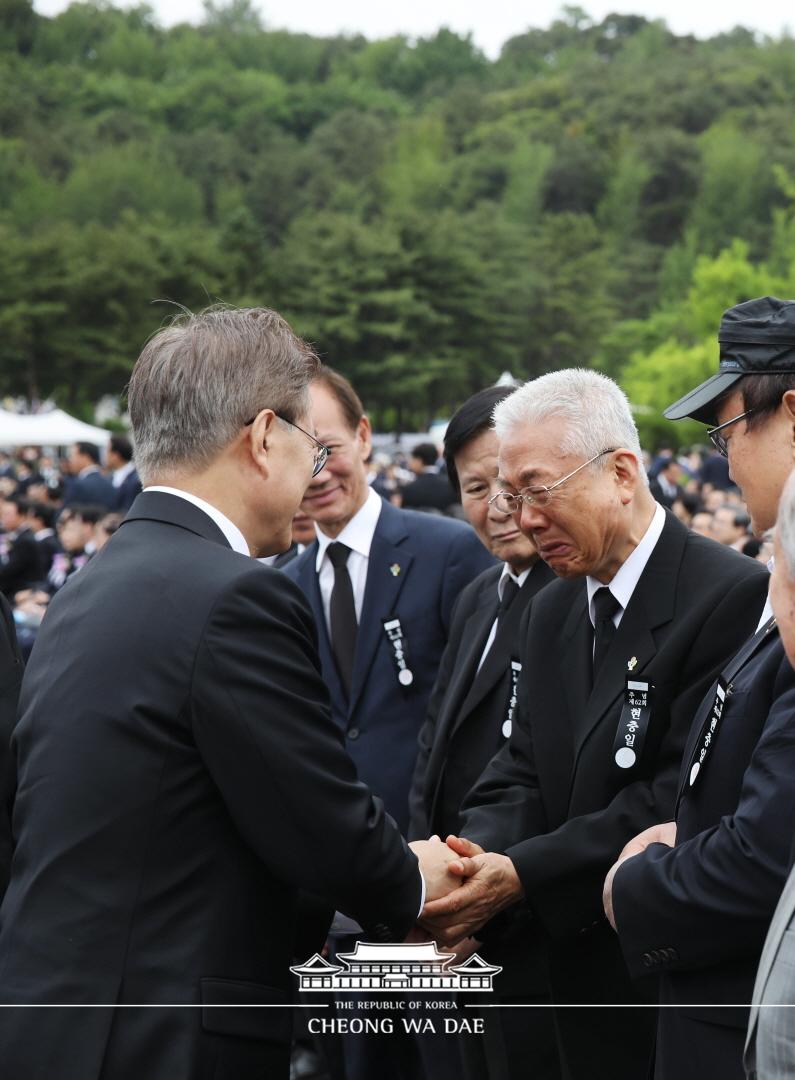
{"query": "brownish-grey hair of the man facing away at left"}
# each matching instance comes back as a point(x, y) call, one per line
point(200, 380)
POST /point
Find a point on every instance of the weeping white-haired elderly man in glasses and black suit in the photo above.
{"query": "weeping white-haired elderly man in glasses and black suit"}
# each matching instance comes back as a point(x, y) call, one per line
point(616, 657)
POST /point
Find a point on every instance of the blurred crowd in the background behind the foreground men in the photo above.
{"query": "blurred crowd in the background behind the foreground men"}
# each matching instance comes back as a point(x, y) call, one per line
point(58, 510)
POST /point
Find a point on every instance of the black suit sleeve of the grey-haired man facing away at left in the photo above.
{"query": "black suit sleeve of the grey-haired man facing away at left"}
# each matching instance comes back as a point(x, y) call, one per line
point(263, 724)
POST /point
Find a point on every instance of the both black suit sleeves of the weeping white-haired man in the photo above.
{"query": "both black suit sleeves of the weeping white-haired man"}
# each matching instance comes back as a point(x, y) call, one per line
point(563, 871)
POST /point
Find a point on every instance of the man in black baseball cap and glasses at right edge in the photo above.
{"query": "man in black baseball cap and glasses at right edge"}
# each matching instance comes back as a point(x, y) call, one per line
point(697, 913)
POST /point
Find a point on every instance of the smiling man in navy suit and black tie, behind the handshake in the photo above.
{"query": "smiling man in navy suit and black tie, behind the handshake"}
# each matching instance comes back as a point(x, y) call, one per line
point(382, 584)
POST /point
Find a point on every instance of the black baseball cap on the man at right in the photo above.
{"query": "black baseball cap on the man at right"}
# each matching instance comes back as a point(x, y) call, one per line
point(757, 337)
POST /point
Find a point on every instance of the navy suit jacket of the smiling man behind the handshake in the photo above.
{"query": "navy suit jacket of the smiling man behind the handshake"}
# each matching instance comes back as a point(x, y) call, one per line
point(419, 566)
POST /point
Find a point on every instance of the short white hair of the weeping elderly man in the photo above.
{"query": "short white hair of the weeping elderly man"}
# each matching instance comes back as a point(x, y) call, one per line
point(597, 410)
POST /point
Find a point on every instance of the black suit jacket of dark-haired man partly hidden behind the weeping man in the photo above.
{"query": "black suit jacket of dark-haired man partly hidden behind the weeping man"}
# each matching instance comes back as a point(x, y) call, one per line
point(464, 728)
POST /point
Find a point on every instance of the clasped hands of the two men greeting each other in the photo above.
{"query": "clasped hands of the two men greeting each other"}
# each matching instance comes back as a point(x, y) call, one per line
point(465, 887)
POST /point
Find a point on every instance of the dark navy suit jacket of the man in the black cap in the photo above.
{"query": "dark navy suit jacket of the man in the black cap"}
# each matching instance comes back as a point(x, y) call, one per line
point(699, 913)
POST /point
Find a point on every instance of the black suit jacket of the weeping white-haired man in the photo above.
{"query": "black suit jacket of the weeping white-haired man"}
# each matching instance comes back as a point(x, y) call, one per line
point(554, 799)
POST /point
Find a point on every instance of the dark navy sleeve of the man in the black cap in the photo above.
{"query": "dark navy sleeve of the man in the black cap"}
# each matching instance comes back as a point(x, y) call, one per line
point(713, 896)
